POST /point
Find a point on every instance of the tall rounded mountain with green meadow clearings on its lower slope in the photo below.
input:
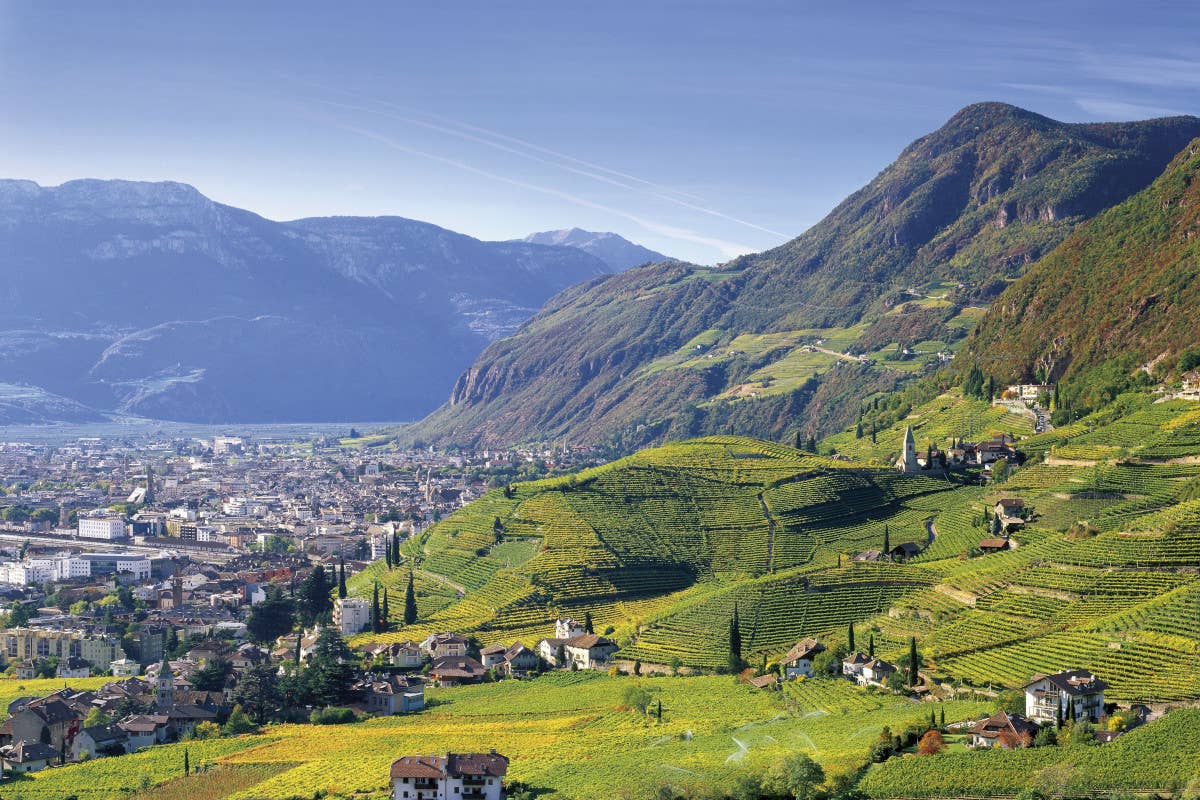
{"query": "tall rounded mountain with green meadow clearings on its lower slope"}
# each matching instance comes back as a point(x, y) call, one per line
point(674, 351)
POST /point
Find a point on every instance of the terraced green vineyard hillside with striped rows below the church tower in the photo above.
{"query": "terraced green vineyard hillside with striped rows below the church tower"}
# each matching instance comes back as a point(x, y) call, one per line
point(661, 546)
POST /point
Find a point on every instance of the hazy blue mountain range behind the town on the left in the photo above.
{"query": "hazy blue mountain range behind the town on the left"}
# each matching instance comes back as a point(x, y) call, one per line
point(152, 299)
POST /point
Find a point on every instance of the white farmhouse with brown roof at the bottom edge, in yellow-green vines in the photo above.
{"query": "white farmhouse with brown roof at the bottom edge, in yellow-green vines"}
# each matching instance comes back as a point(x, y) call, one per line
point(451, 777)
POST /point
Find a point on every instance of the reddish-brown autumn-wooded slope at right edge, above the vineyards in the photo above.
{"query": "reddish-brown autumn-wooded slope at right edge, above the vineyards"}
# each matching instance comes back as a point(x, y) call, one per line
point(1113, 305)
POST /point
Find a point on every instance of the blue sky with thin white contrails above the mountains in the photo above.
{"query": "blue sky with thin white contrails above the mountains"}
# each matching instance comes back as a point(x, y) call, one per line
point(701, 130)
